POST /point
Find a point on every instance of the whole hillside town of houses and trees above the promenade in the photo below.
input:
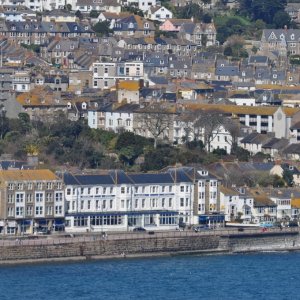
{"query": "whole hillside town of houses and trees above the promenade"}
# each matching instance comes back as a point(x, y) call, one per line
point(161, 115)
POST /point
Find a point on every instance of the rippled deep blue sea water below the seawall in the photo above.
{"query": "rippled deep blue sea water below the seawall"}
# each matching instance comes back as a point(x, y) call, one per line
point(251, 276)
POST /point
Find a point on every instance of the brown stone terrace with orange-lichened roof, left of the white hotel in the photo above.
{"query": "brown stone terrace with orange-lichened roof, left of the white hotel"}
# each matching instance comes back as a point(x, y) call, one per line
point(30, 200)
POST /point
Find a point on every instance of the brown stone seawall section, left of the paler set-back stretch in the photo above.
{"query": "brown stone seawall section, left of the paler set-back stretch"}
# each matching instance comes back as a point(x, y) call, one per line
point(110, 248)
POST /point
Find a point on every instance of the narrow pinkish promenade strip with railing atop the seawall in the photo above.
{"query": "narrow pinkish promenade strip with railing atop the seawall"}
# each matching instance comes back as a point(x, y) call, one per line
point(110, 236)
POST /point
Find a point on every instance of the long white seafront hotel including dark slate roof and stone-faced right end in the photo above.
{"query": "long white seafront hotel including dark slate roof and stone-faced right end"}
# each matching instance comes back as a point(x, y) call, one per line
point(116, 201)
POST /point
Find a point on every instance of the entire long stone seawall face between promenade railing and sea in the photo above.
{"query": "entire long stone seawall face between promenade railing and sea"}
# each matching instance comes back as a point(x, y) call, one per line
point(150, 247)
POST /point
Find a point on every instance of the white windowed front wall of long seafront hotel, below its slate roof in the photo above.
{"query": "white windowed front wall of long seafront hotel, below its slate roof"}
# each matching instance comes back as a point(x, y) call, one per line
point(125, 205)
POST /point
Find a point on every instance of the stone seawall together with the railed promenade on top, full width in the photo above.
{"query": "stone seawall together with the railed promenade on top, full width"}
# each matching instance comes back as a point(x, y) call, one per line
point(53, 248)
